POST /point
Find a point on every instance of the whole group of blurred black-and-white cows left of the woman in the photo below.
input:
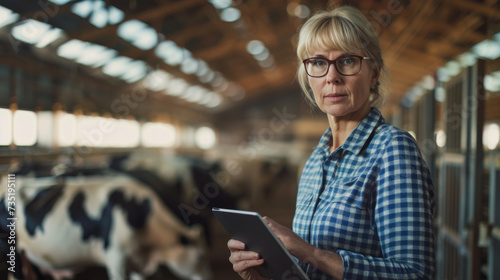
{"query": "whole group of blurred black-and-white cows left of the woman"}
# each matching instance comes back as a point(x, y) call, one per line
point(137, 214)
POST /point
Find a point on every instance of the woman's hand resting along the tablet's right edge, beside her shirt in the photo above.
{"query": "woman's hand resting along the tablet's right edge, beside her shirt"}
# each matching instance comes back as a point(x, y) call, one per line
point(293, 243)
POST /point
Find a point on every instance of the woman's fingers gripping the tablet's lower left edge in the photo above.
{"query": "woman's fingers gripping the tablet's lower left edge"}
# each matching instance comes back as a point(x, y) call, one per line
point(244, 261)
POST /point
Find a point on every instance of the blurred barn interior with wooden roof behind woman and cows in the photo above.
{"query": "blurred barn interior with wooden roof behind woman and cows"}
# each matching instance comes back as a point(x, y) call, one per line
point(84, 82)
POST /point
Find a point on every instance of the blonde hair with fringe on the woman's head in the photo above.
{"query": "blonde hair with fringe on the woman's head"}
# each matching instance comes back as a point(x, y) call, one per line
point(344, 28)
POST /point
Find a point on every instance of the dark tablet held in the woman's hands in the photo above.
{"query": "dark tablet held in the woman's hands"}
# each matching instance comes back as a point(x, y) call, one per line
point(249, 228)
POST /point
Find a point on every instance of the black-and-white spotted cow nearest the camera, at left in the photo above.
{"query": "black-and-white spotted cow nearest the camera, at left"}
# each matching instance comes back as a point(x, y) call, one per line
point(111, 220)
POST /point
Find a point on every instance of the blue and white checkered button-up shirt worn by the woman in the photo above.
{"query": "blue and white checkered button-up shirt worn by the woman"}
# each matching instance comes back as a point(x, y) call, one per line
point(371, 201)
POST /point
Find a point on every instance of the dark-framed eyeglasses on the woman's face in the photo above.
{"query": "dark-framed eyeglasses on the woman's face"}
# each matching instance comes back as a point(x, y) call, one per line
point(346, 65)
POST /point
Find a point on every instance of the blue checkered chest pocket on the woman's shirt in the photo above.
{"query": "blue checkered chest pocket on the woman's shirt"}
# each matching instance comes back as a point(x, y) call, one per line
point(350, 191)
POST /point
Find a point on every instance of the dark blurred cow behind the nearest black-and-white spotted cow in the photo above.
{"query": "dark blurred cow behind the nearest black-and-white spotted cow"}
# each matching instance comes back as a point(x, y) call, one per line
point(195, 185)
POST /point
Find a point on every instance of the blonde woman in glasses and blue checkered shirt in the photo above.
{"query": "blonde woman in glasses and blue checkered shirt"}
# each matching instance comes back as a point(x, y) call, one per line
point(365, 201)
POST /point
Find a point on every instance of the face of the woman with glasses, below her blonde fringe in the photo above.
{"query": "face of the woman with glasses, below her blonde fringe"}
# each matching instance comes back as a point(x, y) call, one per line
point(343, 97)
